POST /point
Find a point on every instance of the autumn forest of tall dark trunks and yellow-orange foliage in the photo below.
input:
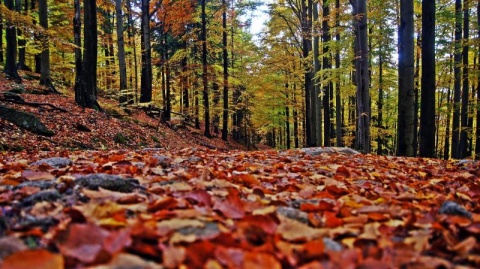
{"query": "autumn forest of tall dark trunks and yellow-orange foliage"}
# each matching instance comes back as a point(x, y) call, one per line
point(385, 77)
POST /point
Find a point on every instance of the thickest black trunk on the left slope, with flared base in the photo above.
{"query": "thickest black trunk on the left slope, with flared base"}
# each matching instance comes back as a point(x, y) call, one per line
point(86, 84)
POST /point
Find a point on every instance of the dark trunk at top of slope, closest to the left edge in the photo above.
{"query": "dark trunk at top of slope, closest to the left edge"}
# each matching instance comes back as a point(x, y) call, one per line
point(11, 51)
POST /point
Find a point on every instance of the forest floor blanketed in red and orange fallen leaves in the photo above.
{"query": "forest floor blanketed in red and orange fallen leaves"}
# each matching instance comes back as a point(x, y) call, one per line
point(68, 204)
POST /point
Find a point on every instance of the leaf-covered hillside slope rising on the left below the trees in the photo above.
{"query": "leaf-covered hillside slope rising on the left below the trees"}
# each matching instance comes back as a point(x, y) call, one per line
point(77, 128)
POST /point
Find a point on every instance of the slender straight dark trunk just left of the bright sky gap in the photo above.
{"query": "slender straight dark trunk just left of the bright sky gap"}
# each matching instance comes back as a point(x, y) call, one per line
point(225, 73)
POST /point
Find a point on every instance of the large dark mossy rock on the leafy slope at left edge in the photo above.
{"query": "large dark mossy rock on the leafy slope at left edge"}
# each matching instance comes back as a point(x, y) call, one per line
point(25, 120)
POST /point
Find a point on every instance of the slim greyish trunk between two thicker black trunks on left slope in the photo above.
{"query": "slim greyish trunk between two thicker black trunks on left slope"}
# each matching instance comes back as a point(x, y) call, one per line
point(122, 64)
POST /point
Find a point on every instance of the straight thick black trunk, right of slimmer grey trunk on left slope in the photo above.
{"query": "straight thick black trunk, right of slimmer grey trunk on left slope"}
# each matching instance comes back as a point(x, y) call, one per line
point(146, 78)
